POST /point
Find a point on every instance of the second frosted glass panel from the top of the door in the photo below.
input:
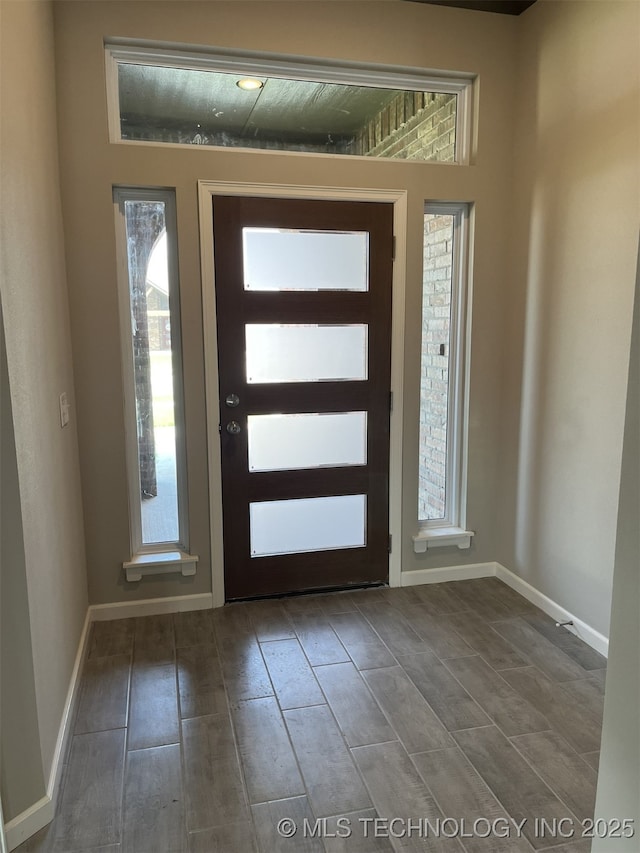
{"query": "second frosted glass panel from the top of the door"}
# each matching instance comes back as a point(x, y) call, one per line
point(307, 353)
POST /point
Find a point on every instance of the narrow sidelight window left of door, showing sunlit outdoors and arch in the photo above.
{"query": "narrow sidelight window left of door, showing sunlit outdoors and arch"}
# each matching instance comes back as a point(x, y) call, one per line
point(152, 371)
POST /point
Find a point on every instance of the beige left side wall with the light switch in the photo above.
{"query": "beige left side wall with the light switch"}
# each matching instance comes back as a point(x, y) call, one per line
point(34, 305)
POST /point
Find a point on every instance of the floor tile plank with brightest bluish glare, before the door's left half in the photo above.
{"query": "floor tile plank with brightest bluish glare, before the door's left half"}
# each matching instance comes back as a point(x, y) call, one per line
point(292, 677)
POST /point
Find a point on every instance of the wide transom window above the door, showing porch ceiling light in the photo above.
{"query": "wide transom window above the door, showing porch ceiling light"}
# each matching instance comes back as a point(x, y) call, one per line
point(250, 101)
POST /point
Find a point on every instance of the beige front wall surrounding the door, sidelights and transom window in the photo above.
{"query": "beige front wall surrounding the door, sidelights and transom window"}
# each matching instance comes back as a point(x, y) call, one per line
point(387, 32)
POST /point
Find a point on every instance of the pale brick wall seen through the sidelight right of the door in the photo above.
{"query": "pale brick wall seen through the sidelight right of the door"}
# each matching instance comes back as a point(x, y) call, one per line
point(434, 372)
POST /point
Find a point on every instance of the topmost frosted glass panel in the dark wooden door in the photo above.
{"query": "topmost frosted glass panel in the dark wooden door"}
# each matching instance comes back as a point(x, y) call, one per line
point(304, 260)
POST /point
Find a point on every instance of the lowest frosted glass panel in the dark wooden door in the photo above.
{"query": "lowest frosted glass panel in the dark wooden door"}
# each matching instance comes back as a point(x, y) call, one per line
point(307, 524)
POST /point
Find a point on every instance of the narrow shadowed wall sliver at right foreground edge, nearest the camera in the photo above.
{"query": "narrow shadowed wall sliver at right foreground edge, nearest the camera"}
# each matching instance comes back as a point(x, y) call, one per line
point(618, 778)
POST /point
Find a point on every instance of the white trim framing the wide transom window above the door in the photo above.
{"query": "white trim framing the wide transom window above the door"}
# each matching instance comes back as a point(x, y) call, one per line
point(201, 58)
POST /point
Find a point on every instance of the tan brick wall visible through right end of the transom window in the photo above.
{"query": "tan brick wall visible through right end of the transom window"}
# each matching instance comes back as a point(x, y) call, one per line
point(413, 126)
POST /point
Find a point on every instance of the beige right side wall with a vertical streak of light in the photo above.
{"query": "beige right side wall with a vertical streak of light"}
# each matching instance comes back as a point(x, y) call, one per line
point(575, 211)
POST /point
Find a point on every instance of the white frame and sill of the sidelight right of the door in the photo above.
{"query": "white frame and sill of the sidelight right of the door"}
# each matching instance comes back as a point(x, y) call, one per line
point(451, 530)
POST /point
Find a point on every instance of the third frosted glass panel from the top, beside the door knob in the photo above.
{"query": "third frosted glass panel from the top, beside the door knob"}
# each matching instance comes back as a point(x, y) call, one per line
point(284, 442)
